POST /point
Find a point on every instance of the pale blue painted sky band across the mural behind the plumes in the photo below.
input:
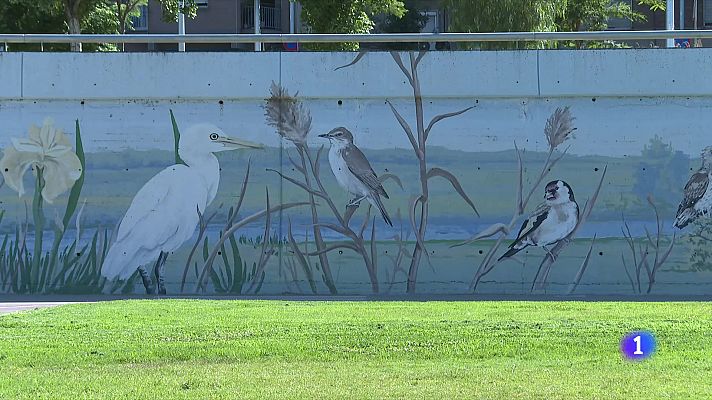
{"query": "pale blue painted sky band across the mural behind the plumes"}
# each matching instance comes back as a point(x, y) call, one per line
point(606, 126)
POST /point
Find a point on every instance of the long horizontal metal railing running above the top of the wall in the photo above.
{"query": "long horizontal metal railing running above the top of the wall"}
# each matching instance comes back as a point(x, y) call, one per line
point(363, 38)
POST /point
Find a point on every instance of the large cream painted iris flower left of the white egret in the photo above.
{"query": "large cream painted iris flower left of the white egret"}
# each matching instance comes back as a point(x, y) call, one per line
point(48, 150)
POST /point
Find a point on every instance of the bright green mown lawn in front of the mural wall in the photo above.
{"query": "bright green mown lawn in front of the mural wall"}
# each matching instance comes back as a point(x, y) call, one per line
point(175, 349)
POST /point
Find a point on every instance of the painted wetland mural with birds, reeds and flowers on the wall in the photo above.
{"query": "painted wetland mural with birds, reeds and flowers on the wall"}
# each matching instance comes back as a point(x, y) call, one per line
point(317, 203)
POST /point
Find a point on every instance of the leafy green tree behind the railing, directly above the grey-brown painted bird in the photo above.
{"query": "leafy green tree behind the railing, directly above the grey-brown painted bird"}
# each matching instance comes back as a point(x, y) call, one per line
point(346, 16)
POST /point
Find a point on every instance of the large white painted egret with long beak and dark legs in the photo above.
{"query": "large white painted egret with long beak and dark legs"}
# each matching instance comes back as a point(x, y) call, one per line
point(164, 213)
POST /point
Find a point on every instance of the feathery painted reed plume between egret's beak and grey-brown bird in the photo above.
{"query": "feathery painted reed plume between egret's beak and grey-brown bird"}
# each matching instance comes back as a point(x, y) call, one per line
point(287, 114)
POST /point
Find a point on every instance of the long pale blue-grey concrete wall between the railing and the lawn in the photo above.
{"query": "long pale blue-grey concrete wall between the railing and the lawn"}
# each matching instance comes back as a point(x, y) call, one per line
point(641, 116)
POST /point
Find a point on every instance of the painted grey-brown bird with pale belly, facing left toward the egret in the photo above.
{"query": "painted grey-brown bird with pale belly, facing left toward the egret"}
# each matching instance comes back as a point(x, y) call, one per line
point(353, 171)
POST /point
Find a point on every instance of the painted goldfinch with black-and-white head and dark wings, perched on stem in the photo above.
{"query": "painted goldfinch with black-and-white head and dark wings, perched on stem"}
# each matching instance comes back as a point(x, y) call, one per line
point(551, 222)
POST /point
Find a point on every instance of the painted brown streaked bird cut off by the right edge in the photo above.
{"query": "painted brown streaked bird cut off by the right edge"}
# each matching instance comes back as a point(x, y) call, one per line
point(698, 193)
